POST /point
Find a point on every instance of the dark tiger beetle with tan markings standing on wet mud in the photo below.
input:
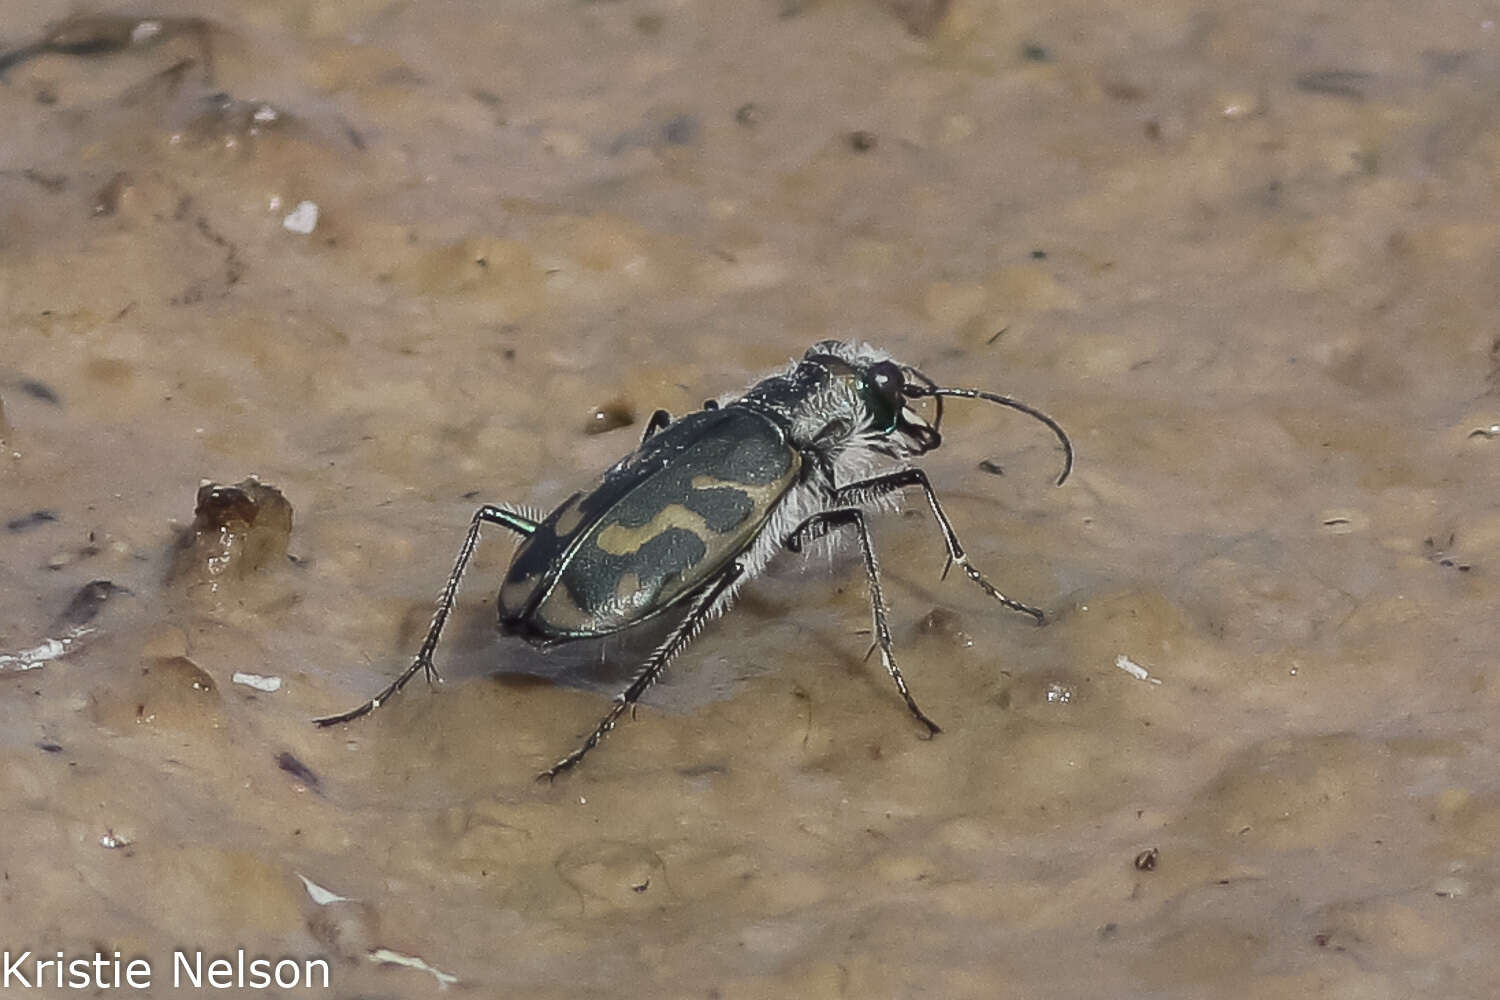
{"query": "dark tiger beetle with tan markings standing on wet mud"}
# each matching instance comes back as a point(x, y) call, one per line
point(706, 503)
